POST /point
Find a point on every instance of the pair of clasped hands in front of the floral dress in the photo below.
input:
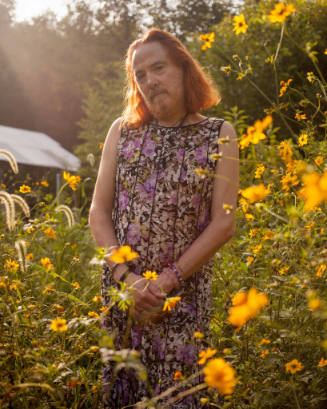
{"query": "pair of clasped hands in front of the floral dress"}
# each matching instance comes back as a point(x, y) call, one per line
point(149, 295)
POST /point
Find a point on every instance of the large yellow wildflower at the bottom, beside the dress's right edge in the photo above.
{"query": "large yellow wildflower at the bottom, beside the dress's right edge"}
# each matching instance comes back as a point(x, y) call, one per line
point(220, 375)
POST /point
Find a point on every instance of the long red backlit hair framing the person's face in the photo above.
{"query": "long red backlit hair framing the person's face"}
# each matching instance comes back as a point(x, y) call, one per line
point(200, 92)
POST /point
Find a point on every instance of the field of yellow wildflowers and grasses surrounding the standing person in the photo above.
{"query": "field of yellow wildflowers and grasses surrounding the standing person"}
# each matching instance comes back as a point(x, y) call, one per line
point(269, 328)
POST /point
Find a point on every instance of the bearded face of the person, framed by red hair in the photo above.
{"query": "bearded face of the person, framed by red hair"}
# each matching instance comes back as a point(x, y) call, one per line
point(160, 82)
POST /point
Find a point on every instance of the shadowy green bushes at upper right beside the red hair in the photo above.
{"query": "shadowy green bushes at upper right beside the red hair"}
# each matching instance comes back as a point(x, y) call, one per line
point(244, 57)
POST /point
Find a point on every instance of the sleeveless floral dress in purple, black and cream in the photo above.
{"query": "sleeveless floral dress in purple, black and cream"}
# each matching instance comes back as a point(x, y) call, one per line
point(161, 206)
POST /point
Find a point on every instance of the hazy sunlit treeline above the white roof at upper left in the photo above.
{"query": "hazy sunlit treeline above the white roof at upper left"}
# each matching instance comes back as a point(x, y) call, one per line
point(47, 67)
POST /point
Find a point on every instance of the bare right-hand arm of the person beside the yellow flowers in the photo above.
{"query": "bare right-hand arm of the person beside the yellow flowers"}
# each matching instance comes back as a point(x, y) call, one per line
point(221, 226)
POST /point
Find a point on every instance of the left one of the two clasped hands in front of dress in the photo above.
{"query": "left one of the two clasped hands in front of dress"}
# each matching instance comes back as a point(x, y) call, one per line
point(147, 295)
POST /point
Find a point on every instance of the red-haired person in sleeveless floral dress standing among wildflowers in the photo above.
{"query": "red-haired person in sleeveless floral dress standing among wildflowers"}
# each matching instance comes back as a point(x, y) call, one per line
point(163, 181)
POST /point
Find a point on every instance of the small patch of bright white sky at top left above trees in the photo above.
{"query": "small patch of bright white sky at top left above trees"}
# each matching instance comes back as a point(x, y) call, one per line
point(26, 9)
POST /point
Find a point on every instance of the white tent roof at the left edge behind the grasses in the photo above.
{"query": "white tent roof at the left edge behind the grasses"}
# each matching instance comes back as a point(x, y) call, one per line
point(36, 149)
